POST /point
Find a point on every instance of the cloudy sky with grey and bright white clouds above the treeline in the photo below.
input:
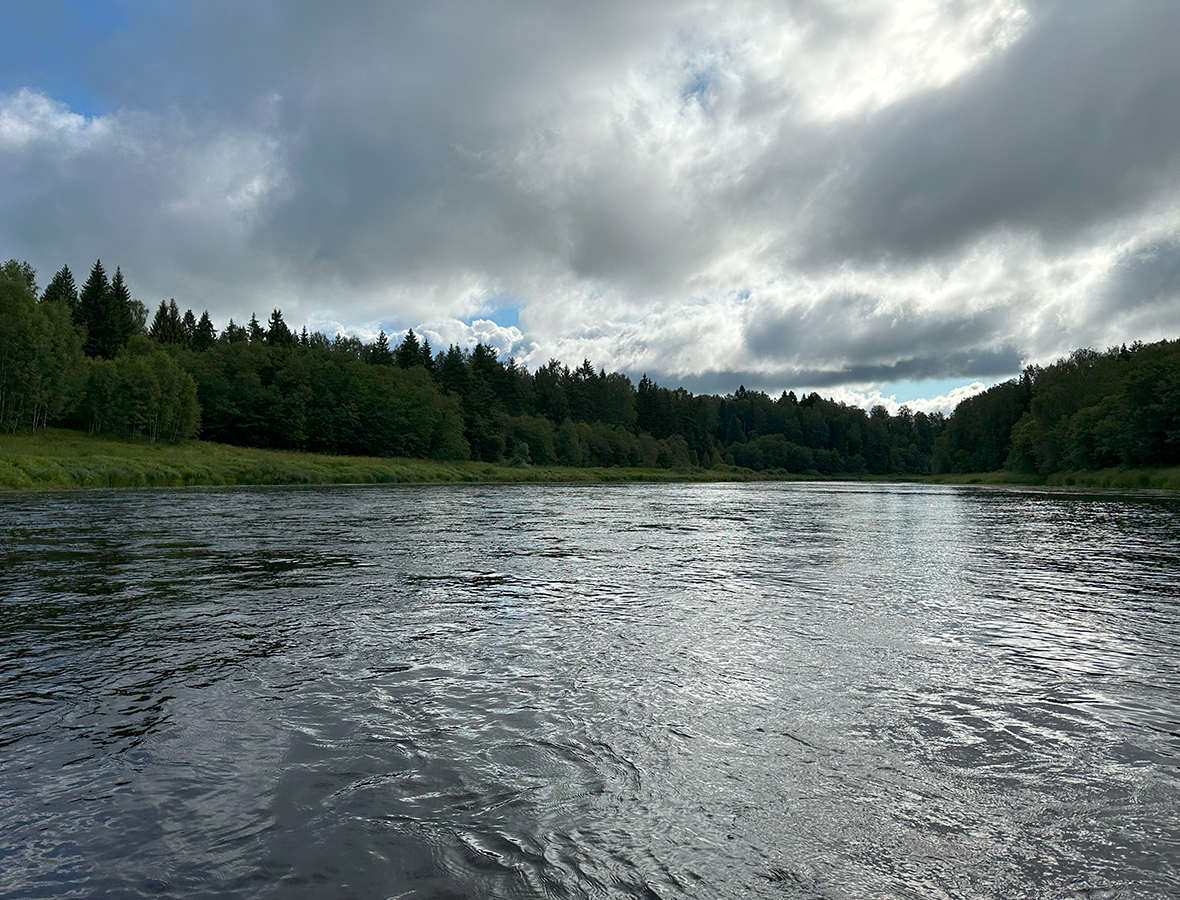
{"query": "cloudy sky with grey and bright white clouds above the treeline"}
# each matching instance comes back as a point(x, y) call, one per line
point(884, 201)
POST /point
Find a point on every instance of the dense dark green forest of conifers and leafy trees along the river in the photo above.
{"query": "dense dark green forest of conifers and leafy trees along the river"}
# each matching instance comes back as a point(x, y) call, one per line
point(91, 359)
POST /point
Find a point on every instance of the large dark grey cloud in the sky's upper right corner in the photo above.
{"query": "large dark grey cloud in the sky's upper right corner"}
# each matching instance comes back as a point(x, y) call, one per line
point(1077, 124)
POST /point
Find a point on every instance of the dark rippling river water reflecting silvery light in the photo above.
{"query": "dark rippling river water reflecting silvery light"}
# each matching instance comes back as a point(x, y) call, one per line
point(641, 692)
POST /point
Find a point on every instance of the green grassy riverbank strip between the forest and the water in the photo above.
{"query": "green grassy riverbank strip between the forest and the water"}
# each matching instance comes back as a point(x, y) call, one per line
point(56, 458)
